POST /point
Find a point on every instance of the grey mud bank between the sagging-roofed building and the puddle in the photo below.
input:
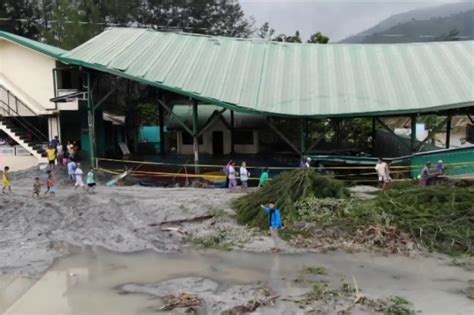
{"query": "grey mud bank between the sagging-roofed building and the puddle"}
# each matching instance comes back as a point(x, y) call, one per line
point(123, 219)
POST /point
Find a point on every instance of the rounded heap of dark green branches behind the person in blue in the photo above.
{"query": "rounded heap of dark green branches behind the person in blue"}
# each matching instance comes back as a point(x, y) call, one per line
point(286, 189)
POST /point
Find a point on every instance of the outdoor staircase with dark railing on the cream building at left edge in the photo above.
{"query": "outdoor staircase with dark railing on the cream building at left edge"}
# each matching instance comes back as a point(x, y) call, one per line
point(12, 121)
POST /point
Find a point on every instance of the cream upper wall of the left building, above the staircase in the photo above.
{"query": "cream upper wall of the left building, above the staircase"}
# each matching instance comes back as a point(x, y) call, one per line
point(29, 71)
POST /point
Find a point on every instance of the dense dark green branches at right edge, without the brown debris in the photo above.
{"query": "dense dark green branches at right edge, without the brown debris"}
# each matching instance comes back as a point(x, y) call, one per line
point(439, 217)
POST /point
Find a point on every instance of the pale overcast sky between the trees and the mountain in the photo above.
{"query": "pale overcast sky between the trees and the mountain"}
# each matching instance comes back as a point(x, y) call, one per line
point(337, 19)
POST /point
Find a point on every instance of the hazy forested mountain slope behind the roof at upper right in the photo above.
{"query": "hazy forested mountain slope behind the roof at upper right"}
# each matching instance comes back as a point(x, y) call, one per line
point(434, 23)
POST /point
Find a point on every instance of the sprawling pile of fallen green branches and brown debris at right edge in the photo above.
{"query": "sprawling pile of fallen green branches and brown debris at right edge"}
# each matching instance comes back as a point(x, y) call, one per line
point(439, 218)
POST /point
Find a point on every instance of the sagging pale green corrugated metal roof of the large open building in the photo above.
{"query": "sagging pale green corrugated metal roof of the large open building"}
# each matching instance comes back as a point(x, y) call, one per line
point(290, 79)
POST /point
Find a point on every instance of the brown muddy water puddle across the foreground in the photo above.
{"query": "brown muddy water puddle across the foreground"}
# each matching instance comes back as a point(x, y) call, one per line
point(86, 282)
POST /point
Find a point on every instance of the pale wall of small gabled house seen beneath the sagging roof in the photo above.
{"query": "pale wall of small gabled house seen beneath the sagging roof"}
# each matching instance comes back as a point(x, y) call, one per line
point(206, 147)
